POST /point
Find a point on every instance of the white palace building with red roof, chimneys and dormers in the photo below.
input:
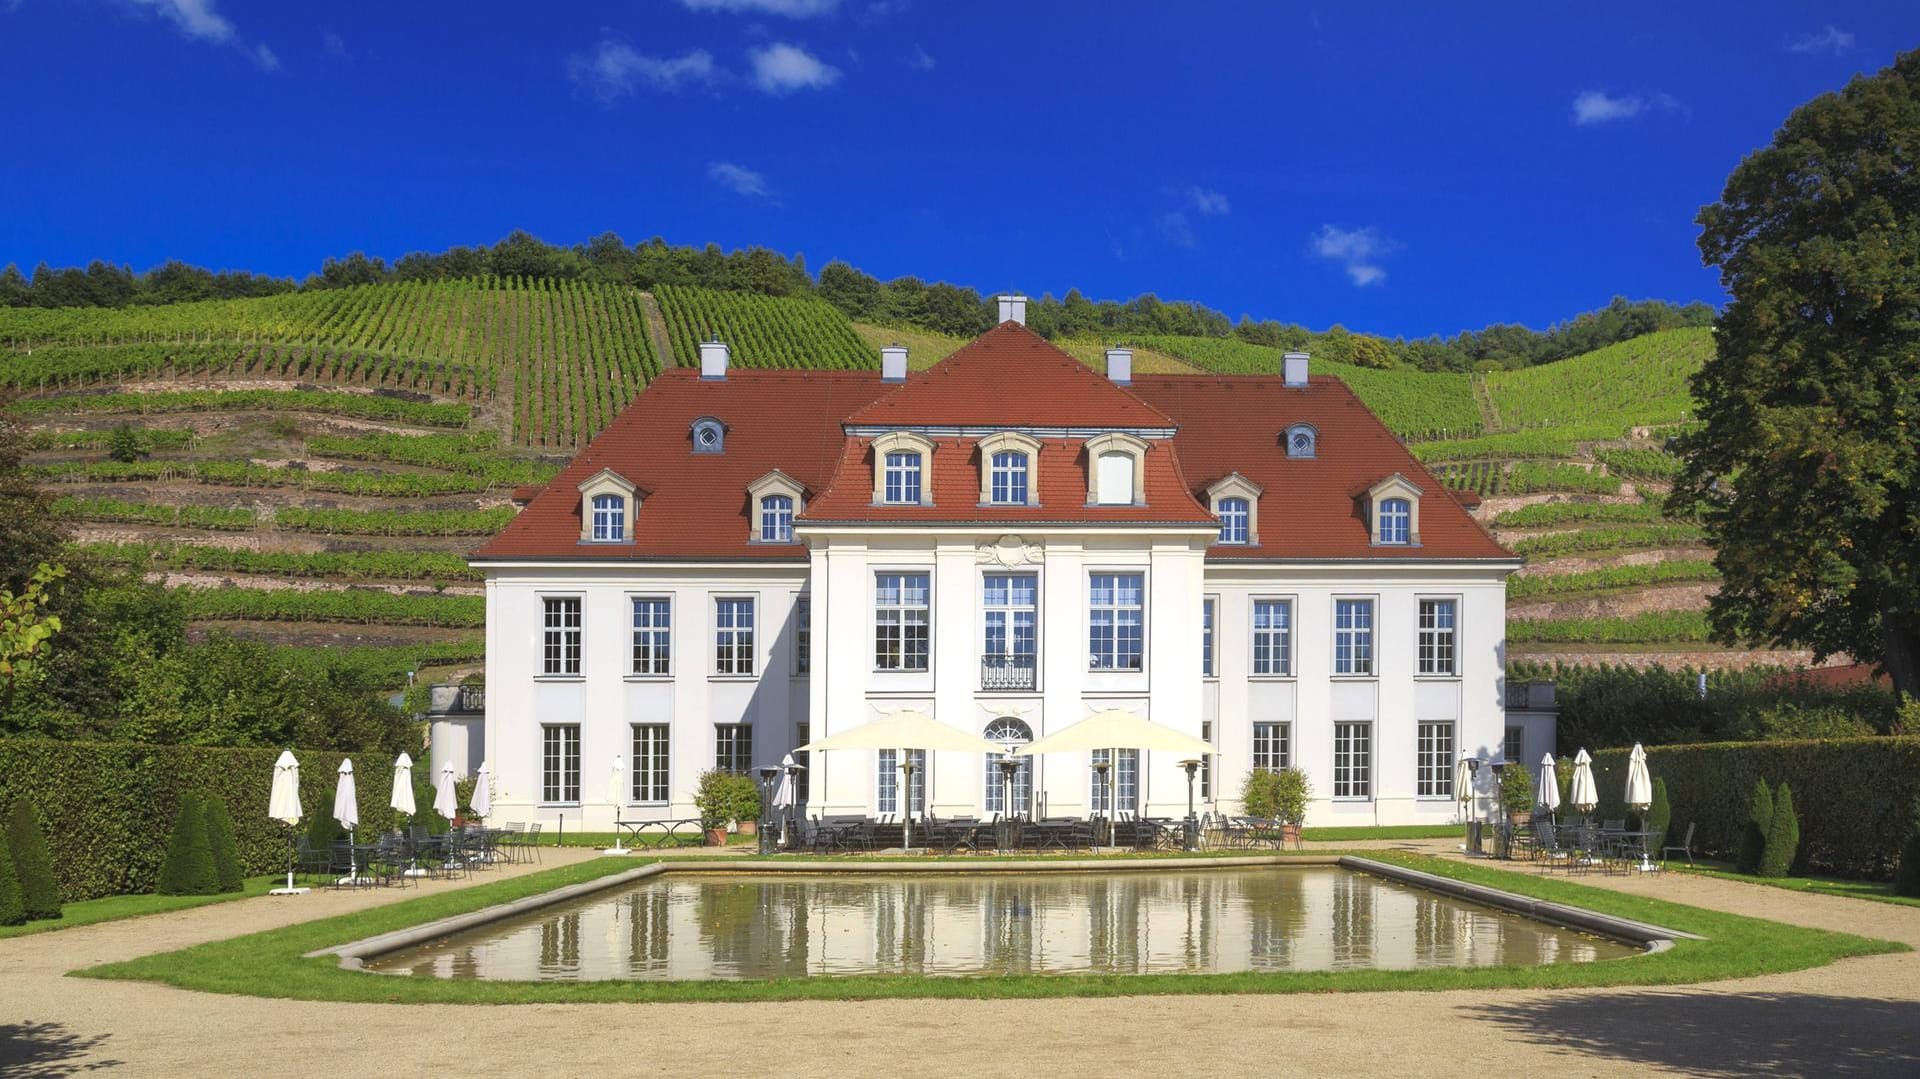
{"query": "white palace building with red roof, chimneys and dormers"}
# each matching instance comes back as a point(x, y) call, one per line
point(1007, 542)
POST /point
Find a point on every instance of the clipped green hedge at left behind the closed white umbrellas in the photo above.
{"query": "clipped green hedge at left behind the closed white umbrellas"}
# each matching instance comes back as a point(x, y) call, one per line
point(110, 807)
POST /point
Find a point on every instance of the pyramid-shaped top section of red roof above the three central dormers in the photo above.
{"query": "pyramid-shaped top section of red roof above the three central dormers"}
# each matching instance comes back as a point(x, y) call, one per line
point(1011, 377)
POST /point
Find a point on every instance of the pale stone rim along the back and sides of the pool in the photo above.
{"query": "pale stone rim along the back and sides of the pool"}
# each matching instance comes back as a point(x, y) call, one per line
point(354, 955)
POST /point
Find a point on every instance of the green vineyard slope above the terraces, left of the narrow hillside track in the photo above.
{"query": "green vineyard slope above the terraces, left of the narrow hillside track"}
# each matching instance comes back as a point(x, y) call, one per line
point(565, 356)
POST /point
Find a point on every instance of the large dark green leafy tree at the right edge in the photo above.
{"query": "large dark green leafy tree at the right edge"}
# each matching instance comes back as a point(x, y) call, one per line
point(1808, 471)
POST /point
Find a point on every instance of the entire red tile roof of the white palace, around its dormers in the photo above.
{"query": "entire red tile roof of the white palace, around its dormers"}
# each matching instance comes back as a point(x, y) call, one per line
point(1009, 377)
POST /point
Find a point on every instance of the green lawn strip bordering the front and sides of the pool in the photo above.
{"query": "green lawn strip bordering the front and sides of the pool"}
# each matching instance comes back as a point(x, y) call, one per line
point(270, 965)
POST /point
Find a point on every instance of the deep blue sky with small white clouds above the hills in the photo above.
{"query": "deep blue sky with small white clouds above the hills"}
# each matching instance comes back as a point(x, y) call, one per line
point(1399, 170)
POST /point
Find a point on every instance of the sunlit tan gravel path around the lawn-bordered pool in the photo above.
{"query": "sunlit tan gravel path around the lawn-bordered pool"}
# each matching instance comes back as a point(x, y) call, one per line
point(1852, 1019)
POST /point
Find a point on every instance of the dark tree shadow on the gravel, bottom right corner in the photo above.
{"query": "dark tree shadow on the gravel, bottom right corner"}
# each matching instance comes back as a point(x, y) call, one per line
point(1714, 1034)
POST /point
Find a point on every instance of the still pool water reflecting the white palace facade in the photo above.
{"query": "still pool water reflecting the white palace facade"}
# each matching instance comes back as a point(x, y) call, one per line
point(1130, 923)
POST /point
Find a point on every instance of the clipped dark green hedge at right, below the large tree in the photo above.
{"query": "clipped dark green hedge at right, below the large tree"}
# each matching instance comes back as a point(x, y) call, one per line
point(1854, 796)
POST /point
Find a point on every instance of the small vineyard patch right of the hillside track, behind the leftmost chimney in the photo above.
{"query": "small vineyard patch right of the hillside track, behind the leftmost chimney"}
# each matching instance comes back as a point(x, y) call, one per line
point(763, 331)
